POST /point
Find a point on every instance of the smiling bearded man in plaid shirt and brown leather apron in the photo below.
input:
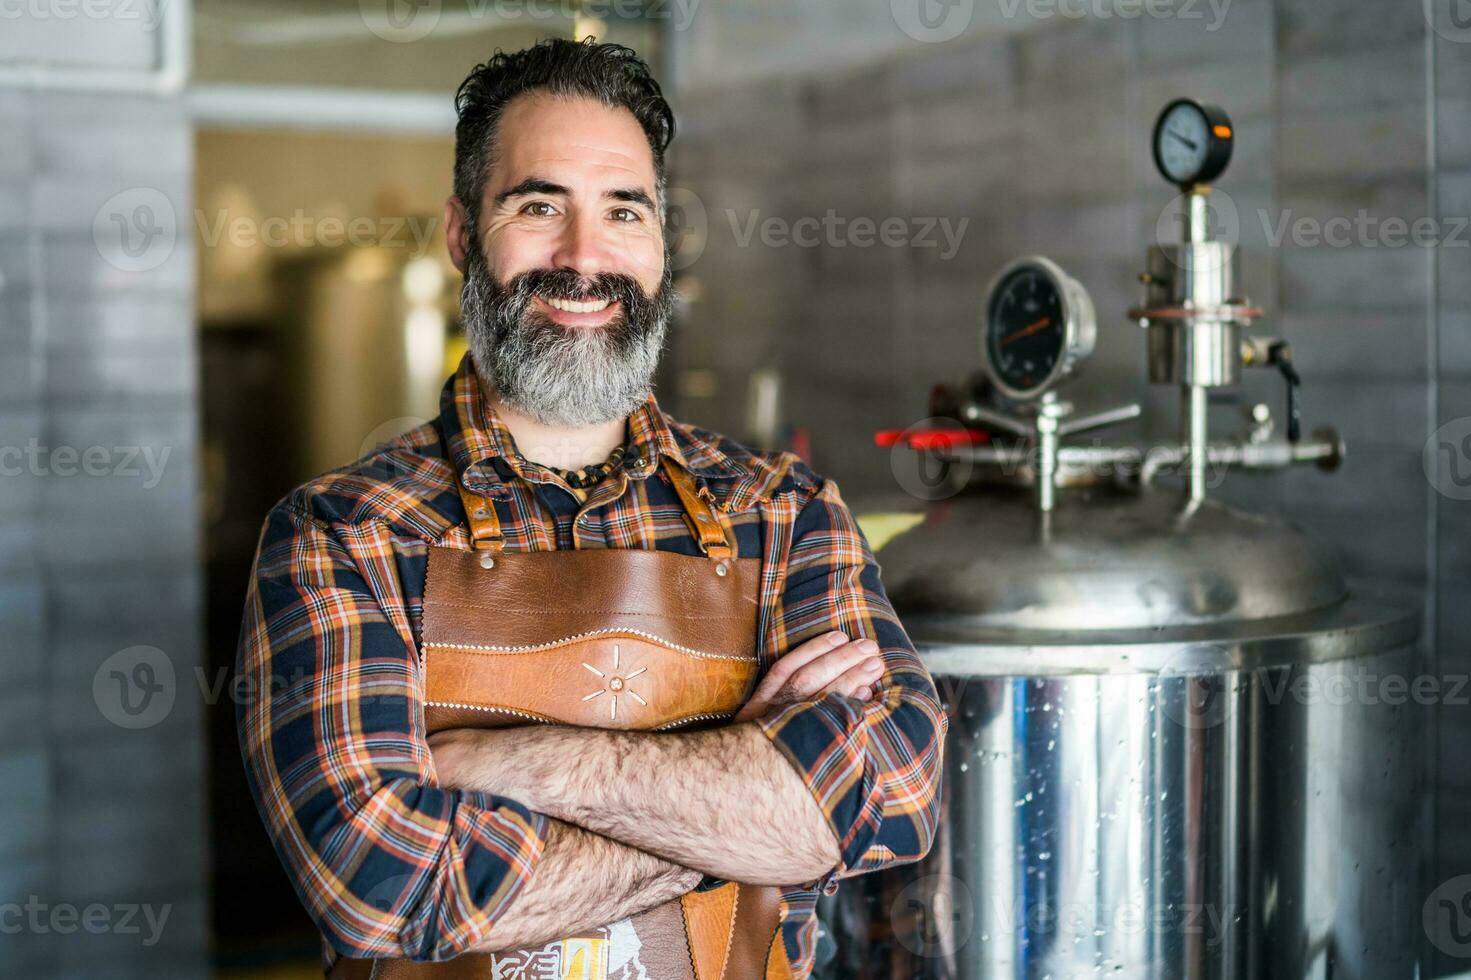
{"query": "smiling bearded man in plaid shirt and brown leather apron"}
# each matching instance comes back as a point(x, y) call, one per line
point(416, 834)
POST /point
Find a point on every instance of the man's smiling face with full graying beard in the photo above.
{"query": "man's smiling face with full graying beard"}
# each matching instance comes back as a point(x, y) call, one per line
point(567, 299)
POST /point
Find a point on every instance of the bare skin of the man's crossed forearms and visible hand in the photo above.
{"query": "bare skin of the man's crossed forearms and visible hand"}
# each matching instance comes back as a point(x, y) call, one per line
point(723, 803)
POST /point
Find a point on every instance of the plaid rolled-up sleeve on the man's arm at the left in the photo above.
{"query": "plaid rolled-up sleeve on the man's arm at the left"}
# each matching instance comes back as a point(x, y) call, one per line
point(386, 863)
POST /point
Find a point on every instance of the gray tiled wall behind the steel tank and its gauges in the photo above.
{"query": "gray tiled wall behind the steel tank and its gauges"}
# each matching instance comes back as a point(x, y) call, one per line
point(1039, 136)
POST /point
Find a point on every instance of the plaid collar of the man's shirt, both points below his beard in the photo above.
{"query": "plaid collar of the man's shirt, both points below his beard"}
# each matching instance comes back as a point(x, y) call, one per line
point(476, 433)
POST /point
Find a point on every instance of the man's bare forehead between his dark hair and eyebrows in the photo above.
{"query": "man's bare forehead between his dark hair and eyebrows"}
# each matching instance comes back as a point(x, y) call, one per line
point(570, 139)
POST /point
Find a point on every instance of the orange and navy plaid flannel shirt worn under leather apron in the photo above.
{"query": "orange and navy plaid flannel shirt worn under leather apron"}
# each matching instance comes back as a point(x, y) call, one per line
point(386, 862)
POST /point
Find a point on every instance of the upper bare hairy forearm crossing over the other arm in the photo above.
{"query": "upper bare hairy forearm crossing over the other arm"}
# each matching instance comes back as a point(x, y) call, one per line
point(723, 801)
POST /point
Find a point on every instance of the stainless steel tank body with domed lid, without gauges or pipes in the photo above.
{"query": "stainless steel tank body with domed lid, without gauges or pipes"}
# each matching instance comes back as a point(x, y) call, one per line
point(1180, 747)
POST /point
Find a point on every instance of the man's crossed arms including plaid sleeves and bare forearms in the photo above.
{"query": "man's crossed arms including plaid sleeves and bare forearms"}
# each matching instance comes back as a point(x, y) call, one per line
point(498, 839)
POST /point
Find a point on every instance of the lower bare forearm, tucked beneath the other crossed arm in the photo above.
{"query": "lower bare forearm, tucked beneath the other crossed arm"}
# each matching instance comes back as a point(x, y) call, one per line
point(582, 882)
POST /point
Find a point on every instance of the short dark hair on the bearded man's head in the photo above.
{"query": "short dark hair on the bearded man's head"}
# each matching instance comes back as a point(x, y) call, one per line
point(613, 74)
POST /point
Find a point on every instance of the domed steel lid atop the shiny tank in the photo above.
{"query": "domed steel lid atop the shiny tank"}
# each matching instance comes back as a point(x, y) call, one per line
point(1105, 560)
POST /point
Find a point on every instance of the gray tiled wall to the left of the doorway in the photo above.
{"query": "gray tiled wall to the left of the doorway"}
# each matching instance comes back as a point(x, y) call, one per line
point(102, 825)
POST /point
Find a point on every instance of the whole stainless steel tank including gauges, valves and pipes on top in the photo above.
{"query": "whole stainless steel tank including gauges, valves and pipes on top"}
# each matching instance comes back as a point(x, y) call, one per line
point(1182, 747)
